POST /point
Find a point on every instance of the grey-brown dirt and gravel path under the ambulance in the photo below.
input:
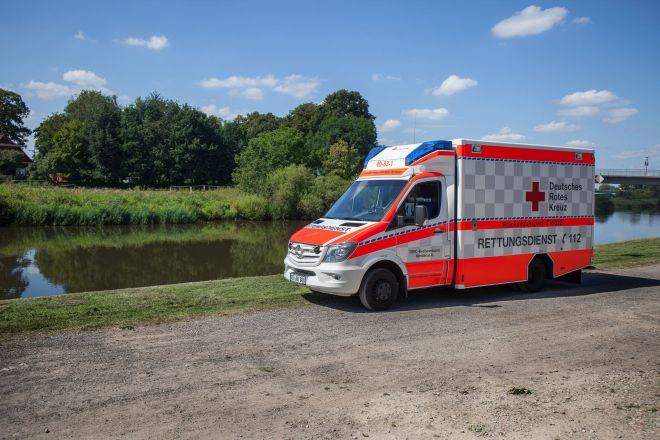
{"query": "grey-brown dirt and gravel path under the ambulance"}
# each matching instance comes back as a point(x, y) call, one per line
point(439, 366)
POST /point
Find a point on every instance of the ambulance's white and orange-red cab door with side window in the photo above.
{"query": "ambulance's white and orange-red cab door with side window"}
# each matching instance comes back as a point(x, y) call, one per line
point(425, 250)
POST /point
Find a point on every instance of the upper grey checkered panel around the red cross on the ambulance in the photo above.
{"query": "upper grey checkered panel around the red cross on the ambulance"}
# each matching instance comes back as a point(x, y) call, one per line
point(496, 188)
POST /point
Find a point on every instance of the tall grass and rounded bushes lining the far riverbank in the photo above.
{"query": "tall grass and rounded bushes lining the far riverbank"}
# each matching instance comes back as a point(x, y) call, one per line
point(292, 192)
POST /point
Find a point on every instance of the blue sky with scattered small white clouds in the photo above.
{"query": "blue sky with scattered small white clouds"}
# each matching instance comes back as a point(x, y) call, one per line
point(583, 74)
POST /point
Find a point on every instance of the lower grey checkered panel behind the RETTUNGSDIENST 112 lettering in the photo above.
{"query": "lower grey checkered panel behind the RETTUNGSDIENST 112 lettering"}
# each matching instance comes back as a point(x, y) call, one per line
point(566, 238)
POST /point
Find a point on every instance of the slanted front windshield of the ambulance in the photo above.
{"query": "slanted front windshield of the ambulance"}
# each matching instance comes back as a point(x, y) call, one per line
point(366, 200)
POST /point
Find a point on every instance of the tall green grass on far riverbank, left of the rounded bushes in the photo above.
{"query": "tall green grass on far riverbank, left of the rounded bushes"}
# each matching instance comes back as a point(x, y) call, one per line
point(47, 205)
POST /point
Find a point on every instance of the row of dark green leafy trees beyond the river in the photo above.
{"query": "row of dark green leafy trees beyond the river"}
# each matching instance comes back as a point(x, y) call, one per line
point(157, 142)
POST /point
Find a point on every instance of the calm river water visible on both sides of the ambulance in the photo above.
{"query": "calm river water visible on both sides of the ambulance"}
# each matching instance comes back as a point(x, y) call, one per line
point(55, 260)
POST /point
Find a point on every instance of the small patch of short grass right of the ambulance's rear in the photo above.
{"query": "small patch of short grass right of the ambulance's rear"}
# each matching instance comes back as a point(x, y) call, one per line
point(627, 253)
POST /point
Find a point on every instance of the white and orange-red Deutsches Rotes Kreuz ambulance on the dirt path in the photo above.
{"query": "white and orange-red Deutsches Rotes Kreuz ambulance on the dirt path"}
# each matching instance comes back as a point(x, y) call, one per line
point(462, 213)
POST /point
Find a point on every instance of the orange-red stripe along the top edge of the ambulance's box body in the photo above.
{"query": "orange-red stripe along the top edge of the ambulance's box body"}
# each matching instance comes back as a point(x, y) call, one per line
point(521, 153)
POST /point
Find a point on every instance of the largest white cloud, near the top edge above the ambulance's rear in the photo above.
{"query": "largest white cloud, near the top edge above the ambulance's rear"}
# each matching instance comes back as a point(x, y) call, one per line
point(530, 21)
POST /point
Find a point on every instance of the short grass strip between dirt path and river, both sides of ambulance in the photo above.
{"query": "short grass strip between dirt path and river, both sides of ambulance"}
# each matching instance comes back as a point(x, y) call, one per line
point(129, 307)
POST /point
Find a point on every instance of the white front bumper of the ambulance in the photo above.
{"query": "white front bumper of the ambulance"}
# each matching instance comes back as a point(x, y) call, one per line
point(342, 279)
